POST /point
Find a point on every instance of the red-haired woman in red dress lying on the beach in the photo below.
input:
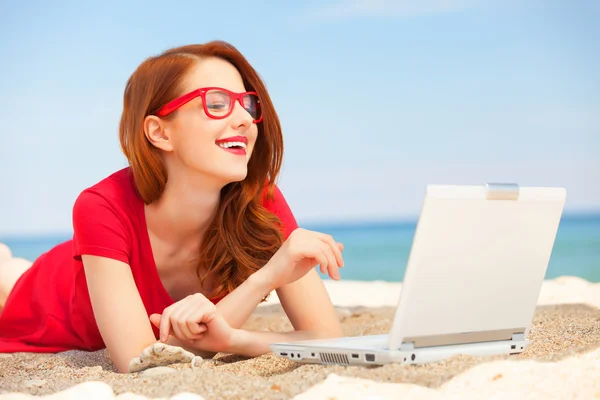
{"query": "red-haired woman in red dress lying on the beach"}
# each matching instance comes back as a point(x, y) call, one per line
point(189, 239)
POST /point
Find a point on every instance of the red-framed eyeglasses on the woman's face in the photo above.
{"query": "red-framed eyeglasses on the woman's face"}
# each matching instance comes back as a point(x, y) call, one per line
point(218, 103)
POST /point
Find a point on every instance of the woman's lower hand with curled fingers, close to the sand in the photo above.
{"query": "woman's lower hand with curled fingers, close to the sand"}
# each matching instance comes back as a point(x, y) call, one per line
point(195, 320)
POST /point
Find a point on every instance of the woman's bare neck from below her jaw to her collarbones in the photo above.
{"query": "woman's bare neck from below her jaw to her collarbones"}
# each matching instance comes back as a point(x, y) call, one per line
point(184, 210)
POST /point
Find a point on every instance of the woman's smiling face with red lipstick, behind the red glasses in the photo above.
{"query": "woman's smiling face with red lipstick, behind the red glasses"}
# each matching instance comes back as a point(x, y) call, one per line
point(218, 149)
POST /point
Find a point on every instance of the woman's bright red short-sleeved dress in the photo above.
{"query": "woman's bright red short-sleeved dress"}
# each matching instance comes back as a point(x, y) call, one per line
point(49, 308)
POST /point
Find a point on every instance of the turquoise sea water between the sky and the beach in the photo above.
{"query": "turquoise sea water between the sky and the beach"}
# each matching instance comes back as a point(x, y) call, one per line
point(379, 251)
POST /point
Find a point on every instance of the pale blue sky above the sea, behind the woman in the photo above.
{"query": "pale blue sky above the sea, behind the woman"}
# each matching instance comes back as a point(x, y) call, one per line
point(376, 98)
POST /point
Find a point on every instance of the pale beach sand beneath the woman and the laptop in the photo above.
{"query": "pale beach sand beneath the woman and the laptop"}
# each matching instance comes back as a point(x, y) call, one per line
point(562, 361)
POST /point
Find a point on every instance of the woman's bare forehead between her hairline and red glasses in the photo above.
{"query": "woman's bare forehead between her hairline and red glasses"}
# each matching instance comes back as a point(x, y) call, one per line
point(214, 72)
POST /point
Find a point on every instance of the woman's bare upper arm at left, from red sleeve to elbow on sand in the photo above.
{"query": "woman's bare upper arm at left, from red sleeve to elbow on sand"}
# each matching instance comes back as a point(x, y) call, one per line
point(118, 309)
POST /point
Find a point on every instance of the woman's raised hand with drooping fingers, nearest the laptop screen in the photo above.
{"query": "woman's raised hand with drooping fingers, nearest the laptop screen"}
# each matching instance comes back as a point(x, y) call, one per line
point(302, 251)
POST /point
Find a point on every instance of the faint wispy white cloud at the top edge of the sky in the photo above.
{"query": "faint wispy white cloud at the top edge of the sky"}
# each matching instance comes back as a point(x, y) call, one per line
point(345, 9)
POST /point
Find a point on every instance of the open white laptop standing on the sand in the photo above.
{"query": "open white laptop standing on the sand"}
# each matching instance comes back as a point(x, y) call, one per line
point(474, 274)
